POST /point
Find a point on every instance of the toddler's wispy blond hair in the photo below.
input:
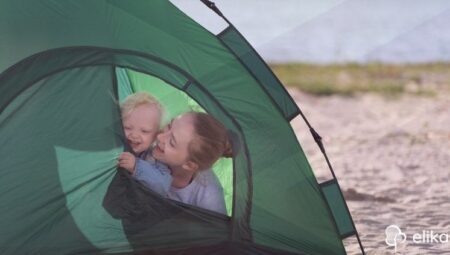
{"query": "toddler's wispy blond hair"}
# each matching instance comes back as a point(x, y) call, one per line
point(135, 100)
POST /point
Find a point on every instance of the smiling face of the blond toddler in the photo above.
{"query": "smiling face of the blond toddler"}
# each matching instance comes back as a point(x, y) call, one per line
point(141, 127)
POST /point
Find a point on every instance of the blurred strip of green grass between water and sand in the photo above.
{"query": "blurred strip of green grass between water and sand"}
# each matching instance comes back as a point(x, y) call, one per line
point(351, 79)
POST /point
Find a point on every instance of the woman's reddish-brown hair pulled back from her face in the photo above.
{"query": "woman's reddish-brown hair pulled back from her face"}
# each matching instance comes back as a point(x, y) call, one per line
point(210, 141)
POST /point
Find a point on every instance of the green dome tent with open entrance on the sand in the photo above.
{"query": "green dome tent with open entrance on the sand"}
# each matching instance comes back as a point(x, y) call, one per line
point(65, 65)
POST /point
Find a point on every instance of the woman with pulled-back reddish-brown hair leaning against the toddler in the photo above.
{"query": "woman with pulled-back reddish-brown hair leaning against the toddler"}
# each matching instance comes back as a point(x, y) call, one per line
point(190, 145)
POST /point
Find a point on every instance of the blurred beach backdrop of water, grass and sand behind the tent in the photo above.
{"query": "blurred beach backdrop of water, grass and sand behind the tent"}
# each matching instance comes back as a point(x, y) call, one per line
point(373, 78)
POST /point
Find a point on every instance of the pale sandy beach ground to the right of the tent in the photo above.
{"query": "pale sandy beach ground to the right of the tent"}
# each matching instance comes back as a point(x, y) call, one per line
point(392, 161)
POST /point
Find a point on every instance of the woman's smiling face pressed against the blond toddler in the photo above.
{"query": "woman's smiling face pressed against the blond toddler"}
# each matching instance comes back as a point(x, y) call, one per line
point(173, 142)
